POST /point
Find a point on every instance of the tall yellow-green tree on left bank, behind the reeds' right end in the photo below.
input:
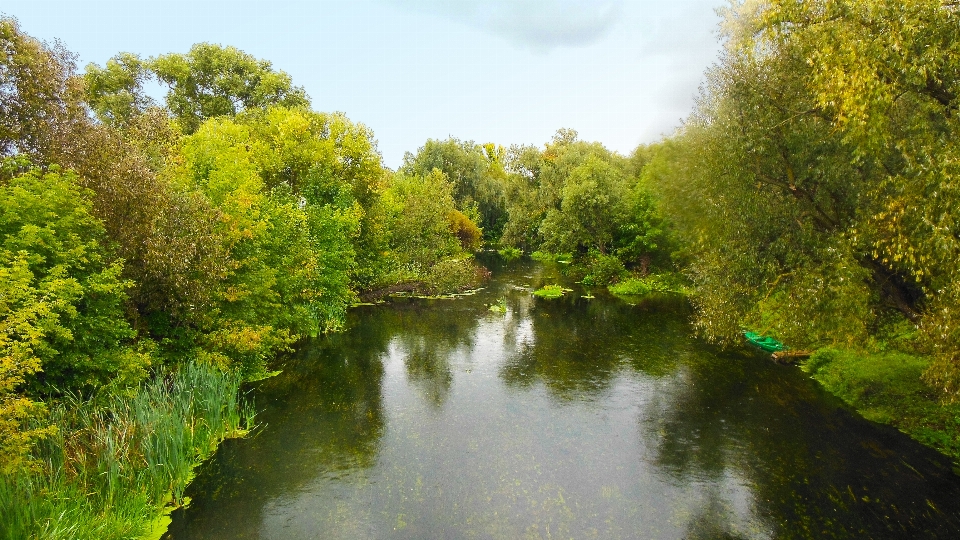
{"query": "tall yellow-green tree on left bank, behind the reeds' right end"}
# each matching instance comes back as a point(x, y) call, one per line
point(290, 217)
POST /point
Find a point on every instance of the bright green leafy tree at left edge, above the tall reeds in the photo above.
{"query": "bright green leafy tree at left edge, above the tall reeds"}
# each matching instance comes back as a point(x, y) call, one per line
point(64, 326)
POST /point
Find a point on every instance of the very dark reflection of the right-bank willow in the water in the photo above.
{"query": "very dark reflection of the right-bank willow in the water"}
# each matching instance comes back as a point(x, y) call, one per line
point(813, 469)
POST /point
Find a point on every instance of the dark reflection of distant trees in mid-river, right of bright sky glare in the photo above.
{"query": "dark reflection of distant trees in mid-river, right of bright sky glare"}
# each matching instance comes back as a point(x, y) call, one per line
point(578, 346)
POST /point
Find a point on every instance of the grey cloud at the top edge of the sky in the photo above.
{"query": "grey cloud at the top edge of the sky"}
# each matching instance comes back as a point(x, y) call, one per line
point(539, 24)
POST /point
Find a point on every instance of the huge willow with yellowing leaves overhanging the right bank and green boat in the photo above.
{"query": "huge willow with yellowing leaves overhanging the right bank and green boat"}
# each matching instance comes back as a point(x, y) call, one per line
point(817, 180)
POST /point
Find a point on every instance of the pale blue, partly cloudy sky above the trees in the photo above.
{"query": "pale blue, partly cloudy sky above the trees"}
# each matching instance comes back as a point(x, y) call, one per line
point(621, 72)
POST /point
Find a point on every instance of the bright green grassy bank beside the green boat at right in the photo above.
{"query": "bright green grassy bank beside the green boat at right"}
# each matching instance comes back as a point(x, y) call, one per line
point(886, 388)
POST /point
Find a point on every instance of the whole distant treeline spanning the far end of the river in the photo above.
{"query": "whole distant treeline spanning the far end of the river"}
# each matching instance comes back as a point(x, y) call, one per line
point(571, 200)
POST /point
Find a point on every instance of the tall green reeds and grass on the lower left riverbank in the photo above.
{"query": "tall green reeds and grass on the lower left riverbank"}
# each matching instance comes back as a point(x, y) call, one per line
point(117, 460)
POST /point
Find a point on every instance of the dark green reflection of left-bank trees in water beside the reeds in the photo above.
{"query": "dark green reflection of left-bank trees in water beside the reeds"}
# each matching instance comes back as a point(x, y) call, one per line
point(323, 416)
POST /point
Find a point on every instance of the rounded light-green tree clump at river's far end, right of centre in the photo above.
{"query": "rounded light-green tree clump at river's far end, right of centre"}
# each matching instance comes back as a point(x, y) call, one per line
point(580, 198)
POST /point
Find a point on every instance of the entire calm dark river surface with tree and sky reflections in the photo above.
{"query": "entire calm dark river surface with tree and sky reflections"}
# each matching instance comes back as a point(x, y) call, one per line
point(570, 418)
